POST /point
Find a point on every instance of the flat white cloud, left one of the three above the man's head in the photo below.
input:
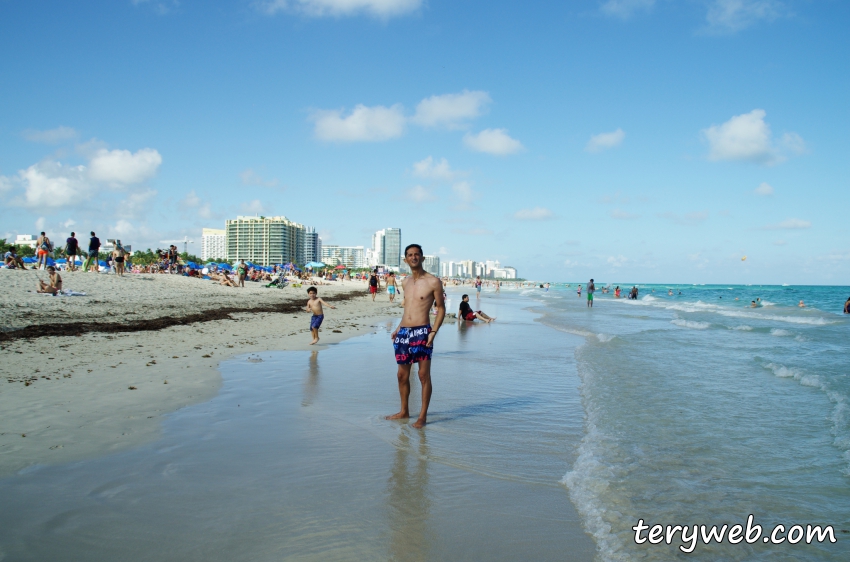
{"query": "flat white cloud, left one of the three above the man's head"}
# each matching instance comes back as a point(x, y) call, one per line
point(363, 124)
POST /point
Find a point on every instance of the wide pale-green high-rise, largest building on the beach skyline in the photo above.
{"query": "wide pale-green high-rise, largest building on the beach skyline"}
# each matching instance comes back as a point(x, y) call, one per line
point(265, 240)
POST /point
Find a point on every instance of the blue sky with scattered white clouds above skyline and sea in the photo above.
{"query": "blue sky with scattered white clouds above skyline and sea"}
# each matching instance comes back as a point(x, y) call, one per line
point(626, 140)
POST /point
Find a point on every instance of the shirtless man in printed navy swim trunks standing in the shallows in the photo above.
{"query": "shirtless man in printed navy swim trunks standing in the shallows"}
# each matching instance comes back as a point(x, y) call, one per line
point(413, 340)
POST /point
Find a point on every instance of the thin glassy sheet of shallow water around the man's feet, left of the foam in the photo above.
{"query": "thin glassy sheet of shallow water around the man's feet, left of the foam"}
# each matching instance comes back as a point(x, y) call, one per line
point(293, 460)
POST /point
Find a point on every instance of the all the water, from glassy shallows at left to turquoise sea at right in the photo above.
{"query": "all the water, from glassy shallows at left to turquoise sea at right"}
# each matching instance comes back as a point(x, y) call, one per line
point(552, 432)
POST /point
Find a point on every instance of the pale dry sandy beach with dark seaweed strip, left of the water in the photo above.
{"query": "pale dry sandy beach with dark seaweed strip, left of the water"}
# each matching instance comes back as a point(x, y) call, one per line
point(95, 373)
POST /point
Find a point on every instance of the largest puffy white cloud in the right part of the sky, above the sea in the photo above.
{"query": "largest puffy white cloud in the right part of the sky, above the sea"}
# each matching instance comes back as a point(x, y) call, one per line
point(748, 138)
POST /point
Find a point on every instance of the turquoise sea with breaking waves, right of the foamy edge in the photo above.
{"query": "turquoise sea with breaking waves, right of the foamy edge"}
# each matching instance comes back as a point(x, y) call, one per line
point(703, 410)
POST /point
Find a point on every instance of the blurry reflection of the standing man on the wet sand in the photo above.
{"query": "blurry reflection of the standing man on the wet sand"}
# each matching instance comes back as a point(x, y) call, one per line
point(408, 503)
